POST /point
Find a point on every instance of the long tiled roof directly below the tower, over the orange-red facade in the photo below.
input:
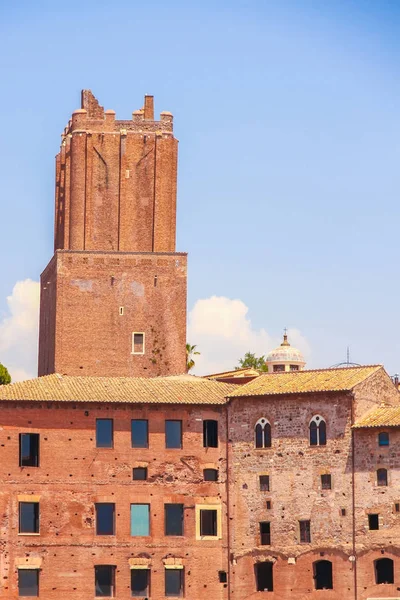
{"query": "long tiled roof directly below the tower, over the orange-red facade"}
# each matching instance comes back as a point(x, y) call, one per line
point(170, 390)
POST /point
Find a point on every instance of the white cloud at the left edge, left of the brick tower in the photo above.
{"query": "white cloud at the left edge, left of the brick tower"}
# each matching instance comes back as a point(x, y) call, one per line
point(19, 331)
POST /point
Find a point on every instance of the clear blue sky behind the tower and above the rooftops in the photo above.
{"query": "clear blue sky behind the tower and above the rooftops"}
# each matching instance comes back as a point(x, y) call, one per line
point(287, 114)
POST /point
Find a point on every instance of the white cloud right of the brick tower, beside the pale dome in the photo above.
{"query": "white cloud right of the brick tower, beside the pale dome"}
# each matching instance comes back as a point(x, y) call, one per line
point(223, 333)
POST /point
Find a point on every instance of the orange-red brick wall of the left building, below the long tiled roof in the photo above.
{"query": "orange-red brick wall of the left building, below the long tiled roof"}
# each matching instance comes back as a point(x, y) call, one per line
point(74, 474)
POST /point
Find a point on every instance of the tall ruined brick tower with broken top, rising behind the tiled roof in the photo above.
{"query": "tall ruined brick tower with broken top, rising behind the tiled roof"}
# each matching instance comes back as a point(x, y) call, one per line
point(113, 297)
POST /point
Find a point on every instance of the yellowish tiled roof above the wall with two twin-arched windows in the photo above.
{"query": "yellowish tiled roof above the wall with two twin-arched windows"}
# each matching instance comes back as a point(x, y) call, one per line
point(303, 382)
